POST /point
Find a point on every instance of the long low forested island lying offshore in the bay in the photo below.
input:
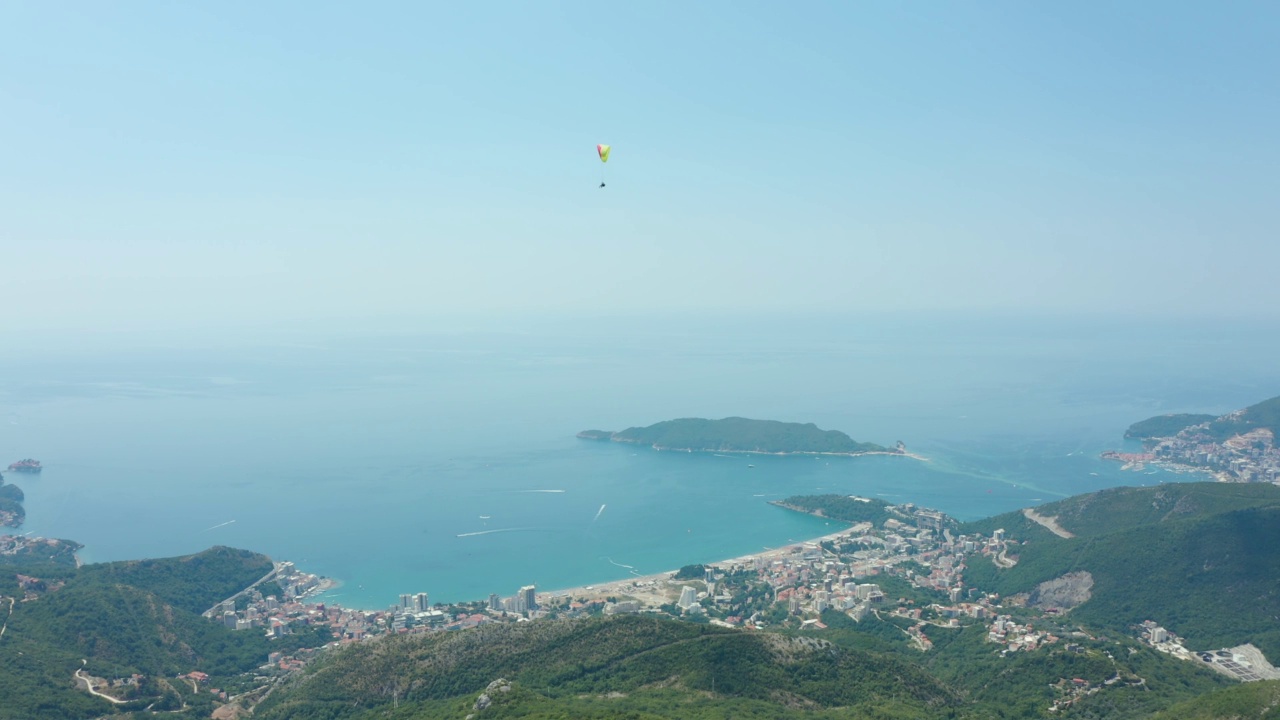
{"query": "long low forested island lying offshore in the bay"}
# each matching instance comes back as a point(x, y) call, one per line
point(742, 435)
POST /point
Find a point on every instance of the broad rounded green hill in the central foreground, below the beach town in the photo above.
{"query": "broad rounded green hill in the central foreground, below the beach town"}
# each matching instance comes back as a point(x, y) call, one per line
point(656, 667)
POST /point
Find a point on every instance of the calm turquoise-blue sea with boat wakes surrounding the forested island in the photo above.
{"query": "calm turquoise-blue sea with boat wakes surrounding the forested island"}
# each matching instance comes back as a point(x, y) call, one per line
point(400, 458)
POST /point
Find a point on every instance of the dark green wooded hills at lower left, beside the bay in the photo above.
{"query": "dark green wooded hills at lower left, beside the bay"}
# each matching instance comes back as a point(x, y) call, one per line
point(126, 618)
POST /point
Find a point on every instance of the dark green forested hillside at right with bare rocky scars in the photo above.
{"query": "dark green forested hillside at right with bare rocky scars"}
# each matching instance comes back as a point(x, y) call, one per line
point(1205, 553)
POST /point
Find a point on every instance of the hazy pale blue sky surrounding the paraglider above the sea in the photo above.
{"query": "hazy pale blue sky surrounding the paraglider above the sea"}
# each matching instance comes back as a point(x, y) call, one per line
point(222, 163)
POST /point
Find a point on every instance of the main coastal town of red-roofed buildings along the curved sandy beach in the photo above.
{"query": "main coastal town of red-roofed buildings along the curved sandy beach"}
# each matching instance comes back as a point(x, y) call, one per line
point(908, 571)
